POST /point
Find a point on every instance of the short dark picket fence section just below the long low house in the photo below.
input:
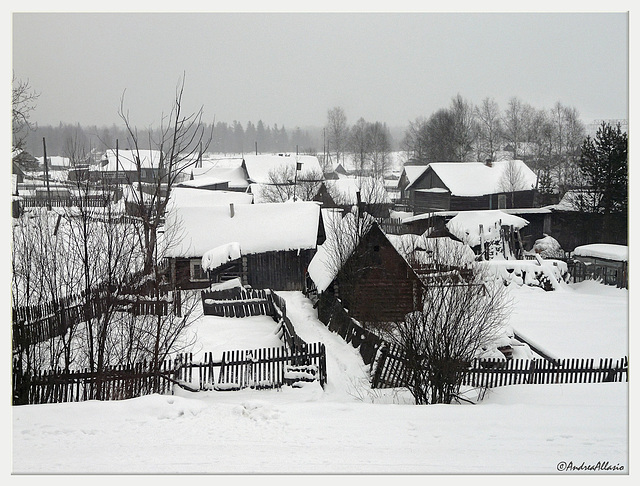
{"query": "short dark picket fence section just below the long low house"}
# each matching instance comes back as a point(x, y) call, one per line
point(237, 303)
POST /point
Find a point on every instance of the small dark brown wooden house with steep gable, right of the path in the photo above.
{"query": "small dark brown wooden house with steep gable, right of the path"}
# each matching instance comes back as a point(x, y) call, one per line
point(375, 283)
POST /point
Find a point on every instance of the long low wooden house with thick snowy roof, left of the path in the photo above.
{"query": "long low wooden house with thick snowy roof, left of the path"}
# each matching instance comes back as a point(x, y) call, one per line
point(265, 245)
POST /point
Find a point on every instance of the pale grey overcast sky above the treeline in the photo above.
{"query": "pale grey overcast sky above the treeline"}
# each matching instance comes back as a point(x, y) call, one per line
point(291, 68)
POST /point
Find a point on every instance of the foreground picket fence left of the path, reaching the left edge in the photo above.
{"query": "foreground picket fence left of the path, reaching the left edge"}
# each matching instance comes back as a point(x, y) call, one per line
point(259, 369)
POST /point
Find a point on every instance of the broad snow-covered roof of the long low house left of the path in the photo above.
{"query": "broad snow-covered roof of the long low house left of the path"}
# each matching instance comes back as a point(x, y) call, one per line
point(256, 228)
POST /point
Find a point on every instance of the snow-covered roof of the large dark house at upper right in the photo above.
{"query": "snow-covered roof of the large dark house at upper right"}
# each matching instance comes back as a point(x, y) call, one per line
point(478, 179)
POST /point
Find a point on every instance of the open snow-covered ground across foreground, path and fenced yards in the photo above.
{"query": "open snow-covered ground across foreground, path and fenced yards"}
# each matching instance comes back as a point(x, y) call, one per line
point(347, 427)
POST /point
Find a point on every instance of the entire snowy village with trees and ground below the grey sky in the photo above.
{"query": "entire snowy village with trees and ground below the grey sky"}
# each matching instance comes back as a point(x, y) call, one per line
point(181, 306)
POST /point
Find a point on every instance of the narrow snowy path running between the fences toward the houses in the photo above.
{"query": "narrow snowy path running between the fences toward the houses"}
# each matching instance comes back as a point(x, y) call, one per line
point(347, 375)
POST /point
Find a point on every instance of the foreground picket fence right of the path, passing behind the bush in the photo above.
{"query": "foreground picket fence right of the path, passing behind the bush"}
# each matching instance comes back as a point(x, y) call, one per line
point(389, 371)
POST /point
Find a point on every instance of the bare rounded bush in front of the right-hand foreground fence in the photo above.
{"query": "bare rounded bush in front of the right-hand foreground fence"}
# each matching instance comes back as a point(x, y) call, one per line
point(456, 323)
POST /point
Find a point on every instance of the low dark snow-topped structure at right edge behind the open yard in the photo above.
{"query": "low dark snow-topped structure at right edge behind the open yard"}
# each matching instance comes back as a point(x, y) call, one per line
point(600, 261)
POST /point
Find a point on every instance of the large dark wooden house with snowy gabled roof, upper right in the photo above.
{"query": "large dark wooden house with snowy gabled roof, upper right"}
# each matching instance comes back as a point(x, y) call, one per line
point(471, 186)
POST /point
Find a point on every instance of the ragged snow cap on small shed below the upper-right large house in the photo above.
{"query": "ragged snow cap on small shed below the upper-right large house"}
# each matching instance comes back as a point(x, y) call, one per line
point(466, 225)
